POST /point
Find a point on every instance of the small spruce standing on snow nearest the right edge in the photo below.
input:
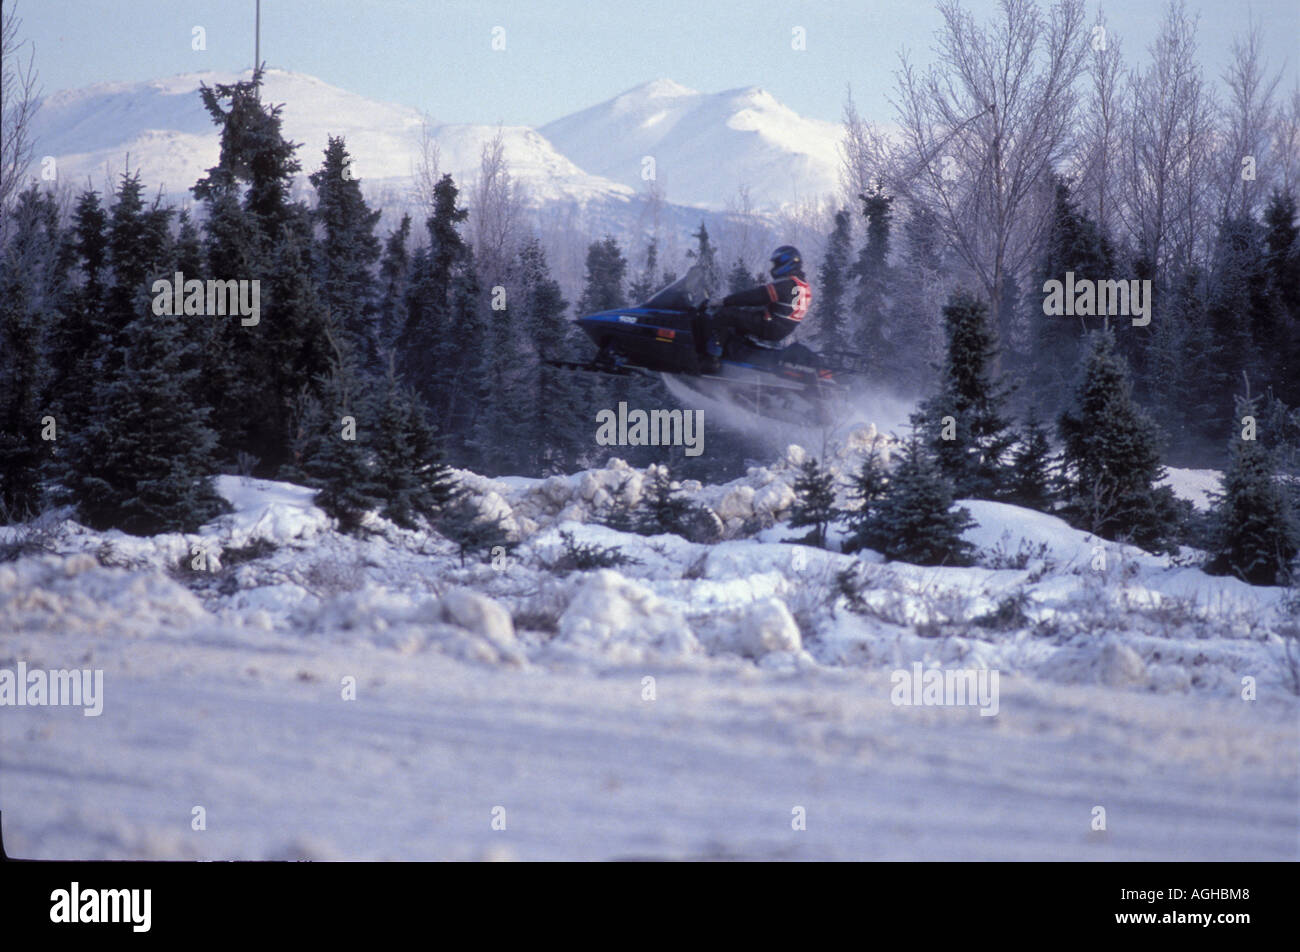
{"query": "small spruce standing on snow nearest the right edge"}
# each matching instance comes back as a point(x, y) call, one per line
point(1255, 533)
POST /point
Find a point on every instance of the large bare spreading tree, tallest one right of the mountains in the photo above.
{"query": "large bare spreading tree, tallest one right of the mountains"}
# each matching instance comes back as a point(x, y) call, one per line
point(985, 127)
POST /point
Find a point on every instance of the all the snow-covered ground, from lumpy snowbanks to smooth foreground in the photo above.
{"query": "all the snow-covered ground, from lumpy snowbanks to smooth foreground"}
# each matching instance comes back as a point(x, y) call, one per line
point(696, 703)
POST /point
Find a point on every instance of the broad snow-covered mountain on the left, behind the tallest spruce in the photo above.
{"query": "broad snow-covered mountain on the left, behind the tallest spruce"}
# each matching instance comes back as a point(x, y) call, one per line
point(162, 129)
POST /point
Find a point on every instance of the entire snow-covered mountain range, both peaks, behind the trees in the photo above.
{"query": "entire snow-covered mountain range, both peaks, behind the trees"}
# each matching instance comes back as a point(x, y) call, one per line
point(593, 157)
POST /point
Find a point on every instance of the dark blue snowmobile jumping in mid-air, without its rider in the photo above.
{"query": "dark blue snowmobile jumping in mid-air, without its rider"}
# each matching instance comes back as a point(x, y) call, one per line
point(791, 384)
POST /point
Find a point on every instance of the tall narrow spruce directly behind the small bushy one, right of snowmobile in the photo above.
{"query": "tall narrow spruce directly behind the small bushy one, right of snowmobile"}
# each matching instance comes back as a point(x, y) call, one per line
point(965, 426)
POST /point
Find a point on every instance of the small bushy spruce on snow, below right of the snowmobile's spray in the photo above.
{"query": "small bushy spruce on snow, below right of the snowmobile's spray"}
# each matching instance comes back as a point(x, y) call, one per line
point(915, 520)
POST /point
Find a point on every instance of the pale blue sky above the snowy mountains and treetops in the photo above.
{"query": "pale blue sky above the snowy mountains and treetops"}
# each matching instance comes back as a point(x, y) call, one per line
point(561, 55)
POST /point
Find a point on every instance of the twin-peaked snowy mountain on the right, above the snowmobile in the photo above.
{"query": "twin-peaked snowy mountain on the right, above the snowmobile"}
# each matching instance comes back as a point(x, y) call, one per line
point(705, 146)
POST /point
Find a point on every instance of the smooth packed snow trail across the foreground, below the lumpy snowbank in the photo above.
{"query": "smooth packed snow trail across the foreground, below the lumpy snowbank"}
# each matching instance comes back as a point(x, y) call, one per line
point(587, 769)
